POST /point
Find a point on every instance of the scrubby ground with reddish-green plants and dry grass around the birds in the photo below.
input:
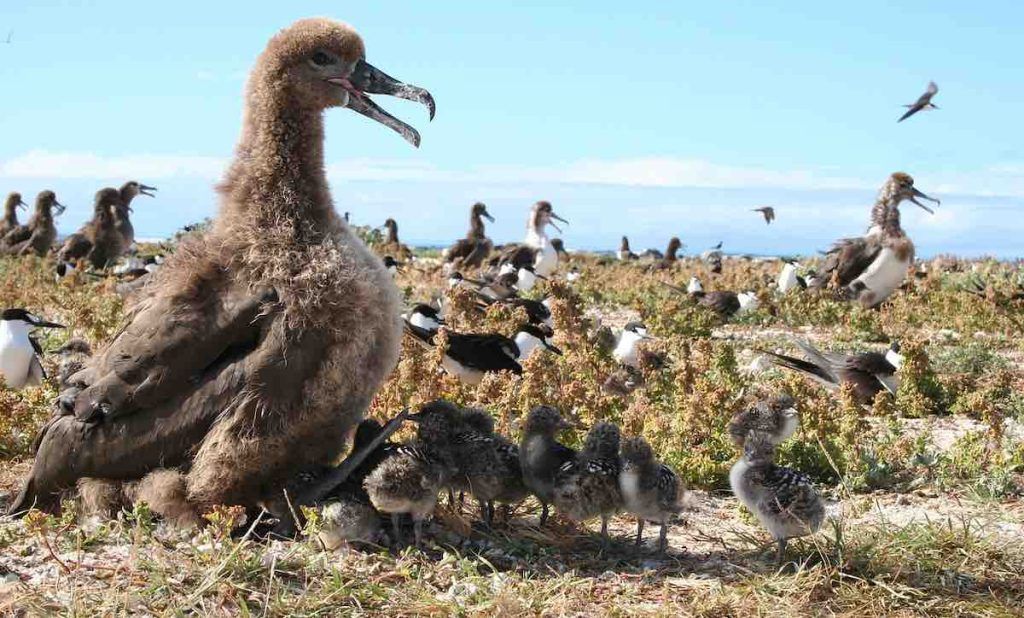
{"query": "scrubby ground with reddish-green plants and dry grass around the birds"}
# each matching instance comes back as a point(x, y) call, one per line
point(924, 489)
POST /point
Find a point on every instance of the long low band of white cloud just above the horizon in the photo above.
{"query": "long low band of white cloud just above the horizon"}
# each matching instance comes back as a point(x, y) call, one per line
point(999, 181)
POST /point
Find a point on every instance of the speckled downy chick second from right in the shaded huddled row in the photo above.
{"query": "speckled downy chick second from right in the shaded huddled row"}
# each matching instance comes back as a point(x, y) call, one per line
point(588, 487)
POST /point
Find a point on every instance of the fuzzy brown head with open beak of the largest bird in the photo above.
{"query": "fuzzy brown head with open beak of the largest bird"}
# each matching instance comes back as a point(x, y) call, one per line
point(320, 64)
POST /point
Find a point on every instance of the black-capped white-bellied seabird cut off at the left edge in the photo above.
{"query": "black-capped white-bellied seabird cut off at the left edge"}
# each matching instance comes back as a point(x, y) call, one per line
point(21, 357)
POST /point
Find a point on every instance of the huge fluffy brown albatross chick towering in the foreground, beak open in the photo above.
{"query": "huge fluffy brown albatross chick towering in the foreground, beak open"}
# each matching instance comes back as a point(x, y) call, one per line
point(258, 347)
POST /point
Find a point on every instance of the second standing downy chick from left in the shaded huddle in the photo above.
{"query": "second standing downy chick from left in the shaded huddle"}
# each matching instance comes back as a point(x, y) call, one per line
point(488, 465)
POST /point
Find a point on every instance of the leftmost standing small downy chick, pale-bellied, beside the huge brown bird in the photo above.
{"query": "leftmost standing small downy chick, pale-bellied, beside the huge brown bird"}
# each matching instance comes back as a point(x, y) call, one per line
point(410, 480)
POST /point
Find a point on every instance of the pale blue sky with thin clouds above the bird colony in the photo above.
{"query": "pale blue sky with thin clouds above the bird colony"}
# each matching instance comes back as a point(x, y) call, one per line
point(669, 119)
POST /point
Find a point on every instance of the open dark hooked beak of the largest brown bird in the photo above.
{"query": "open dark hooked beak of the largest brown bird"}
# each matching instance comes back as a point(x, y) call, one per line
point(366, 79)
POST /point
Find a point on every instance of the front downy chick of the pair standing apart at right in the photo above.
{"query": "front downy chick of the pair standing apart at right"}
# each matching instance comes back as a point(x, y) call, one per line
point(785, 501)
